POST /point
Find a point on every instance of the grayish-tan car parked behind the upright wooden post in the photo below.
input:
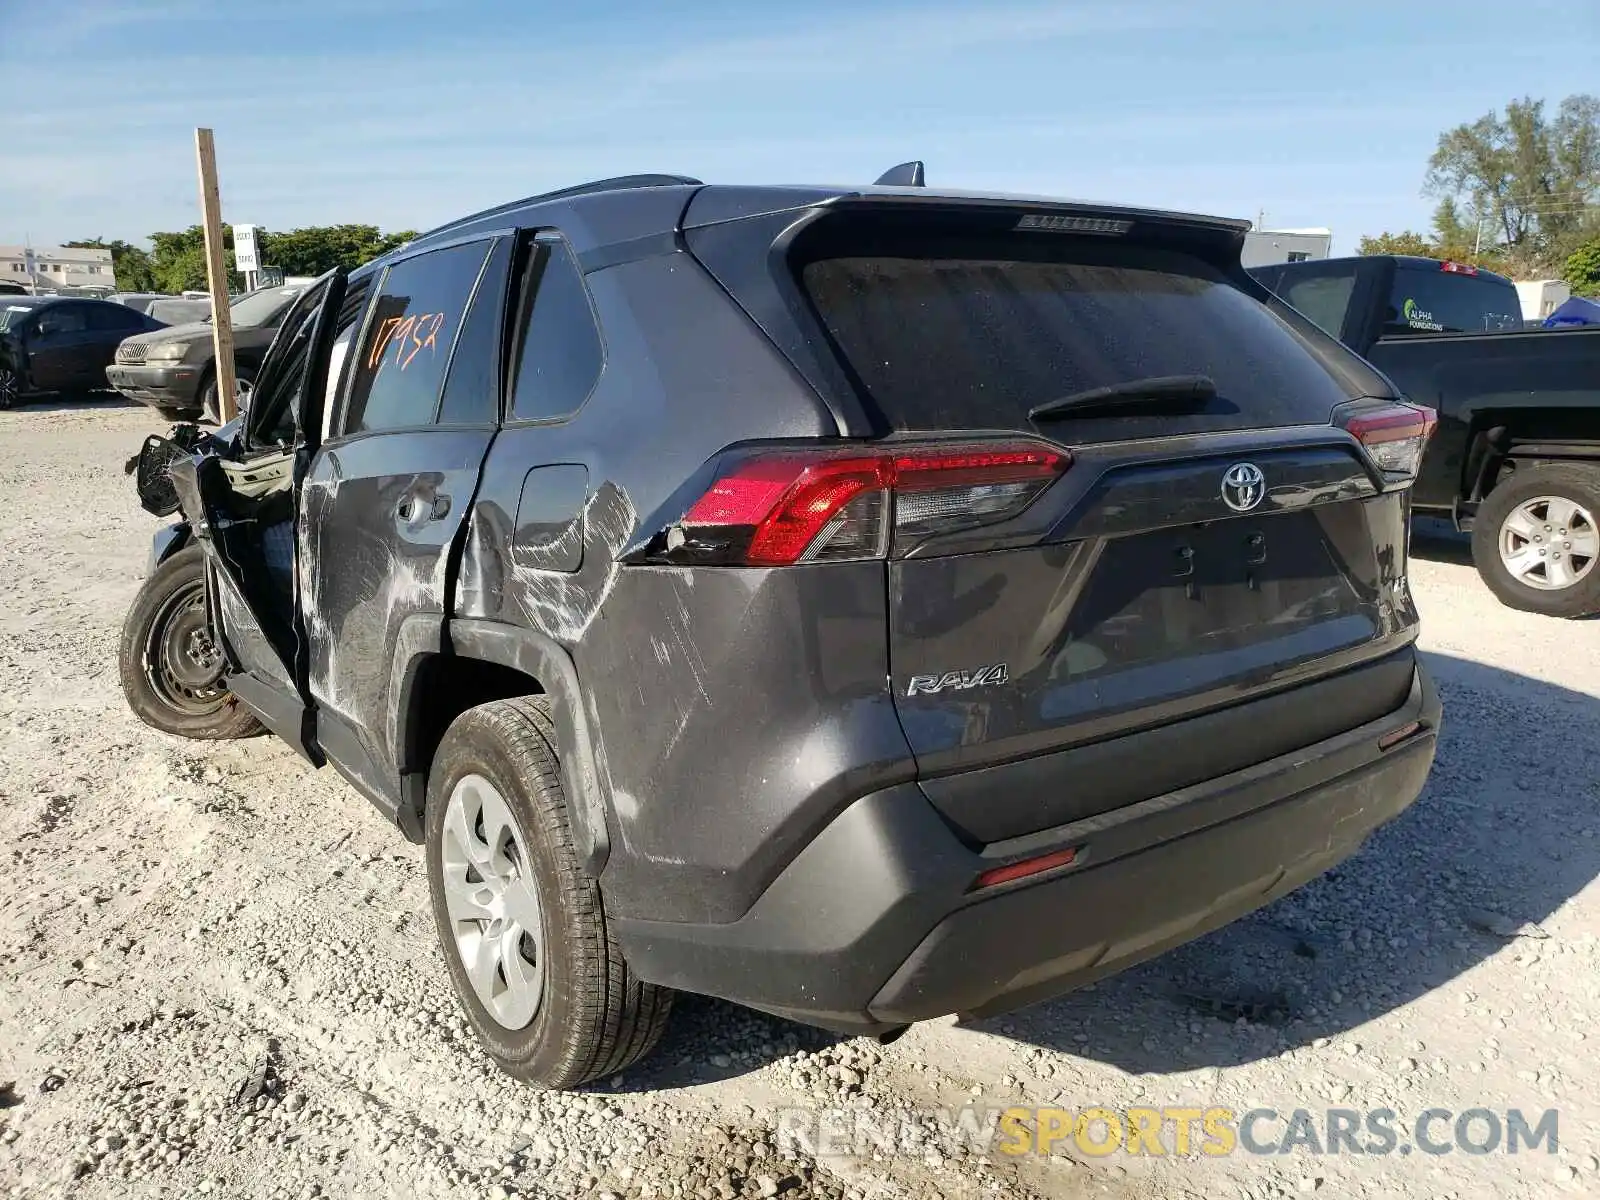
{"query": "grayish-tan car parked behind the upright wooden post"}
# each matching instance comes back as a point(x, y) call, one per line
point(177, 372)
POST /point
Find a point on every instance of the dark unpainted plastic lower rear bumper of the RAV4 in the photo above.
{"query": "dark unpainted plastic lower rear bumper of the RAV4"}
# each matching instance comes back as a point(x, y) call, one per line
point(874, 924)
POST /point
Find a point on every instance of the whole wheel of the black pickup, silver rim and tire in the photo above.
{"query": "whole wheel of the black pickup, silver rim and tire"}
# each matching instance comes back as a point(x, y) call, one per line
point(1537, 540)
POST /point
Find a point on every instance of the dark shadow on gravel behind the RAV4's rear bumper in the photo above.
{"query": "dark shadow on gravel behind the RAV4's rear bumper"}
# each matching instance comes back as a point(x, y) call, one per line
point(1498, 841)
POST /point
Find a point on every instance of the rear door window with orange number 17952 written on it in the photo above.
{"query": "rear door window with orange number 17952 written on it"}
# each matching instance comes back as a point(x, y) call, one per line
point(415, 321)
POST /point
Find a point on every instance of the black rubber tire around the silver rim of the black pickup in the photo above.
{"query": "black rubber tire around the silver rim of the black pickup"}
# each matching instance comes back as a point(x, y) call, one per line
point(1570, 482)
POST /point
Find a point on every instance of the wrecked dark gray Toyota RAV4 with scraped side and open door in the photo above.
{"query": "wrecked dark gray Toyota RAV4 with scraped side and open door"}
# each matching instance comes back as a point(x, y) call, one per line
point(863, 604)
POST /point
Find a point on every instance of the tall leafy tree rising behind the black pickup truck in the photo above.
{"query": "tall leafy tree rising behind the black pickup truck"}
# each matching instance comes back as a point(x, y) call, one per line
point(1526, 182)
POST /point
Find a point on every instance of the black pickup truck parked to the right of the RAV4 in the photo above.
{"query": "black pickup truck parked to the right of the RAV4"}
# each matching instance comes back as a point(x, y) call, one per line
point(1516, 458)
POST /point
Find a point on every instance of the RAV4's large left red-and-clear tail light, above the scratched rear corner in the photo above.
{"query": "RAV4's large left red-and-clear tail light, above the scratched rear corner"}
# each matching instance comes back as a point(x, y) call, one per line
point(785, 508)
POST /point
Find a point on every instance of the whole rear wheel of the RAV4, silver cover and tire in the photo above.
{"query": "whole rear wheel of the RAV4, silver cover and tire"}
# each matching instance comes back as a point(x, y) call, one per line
point(524, 929)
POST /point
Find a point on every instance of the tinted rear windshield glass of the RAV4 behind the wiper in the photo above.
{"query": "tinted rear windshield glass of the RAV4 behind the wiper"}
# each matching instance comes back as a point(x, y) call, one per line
point(969, 342)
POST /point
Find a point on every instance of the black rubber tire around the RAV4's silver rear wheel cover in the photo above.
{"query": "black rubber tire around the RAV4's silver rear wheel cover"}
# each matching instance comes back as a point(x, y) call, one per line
point(594, 1018)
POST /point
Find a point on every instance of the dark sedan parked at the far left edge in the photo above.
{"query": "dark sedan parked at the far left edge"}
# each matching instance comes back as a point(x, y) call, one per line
point(60, 346)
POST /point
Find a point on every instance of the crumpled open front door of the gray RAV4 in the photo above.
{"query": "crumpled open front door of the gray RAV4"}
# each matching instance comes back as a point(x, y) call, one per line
point(242, 502)
